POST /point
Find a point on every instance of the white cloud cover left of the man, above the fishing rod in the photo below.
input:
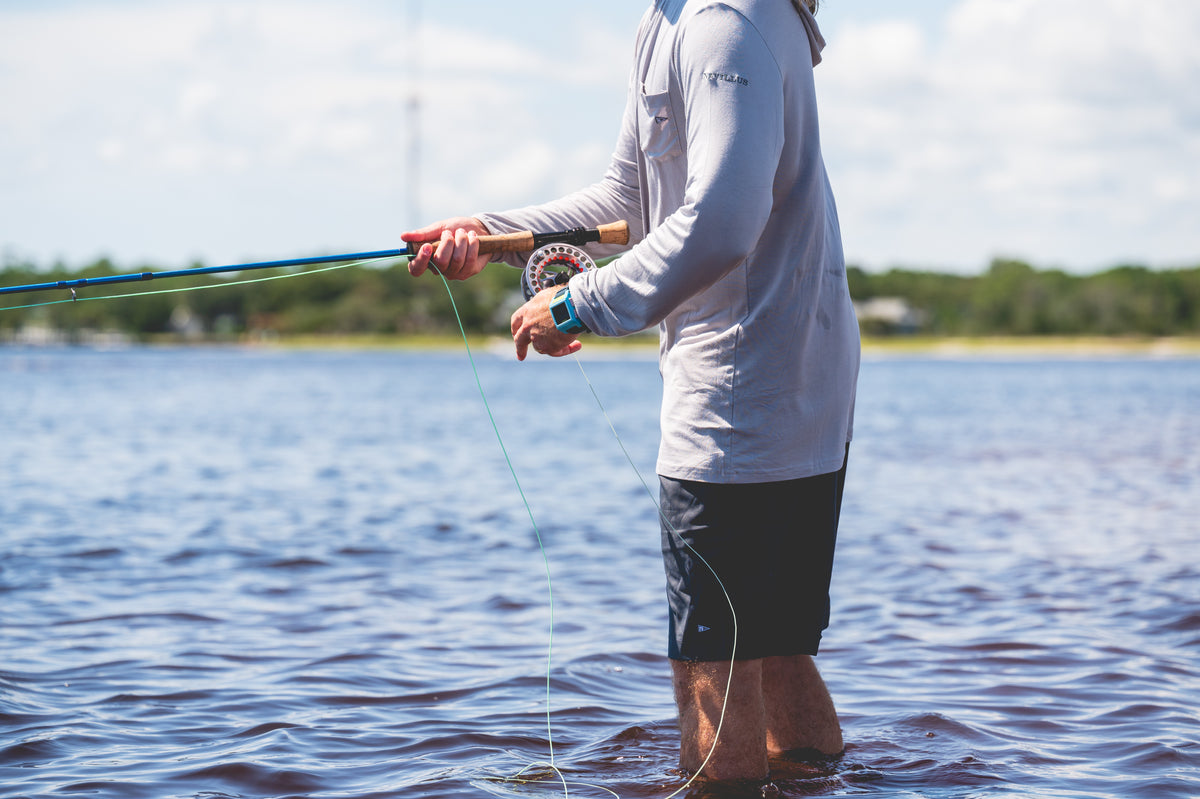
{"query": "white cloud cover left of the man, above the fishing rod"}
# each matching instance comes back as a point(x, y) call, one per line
point(170, 131)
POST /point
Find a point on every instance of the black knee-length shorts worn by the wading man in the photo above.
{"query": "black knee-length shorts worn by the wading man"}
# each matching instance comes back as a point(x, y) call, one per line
point(764, 549)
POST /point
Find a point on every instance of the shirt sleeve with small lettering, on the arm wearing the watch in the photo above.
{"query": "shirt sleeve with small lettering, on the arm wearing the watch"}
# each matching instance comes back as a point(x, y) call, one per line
point(716, 137)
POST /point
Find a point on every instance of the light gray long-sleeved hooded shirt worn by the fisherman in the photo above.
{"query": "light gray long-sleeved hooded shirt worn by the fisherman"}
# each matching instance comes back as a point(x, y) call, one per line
point(736, 248)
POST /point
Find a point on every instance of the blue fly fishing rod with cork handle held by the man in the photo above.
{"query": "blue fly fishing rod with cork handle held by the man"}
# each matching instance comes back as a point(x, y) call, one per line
point(521, 242)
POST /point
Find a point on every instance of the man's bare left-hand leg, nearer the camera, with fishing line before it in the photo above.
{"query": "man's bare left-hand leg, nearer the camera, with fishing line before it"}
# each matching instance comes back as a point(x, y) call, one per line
point(741, 750)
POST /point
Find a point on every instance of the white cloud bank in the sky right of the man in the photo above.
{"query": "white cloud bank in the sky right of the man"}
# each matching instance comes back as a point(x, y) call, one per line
point(1053, 131)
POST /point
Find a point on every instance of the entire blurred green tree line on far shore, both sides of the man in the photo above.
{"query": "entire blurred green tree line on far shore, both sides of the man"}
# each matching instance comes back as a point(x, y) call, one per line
point(1010, 298)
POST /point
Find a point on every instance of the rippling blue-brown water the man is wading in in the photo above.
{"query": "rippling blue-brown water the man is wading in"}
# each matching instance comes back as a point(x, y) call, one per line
point(239, 573)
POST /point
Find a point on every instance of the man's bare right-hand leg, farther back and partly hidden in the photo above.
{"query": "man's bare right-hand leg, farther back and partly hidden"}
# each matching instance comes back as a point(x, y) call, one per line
point(799, 707)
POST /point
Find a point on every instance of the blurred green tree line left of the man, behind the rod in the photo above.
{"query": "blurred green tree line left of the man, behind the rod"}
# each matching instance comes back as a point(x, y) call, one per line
point(346, 302)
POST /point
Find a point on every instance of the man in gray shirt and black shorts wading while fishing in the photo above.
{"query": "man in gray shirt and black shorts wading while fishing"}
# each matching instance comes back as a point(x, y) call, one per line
point(737, 259)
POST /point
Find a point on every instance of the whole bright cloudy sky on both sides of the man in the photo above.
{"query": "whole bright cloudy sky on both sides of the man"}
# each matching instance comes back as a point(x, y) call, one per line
point(1061, 133)
